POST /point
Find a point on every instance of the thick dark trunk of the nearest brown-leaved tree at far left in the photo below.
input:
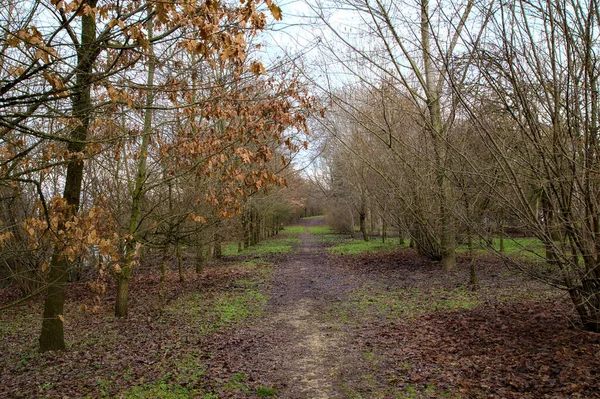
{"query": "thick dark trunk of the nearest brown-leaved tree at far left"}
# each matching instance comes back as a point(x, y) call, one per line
point(52, 334)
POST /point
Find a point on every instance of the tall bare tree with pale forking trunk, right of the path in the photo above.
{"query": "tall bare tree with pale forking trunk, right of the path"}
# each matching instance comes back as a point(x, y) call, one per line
point(416, 59)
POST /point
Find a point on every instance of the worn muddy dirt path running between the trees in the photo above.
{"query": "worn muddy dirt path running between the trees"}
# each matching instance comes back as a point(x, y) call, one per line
point(296, 348)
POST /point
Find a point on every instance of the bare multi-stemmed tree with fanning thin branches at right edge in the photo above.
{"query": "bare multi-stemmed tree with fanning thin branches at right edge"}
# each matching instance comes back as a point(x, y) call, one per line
point(537, 68)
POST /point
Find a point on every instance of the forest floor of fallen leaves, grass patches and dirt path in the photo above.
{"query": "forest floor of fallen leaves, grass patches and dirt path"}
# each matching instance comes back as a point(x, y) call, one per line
point(309, 324)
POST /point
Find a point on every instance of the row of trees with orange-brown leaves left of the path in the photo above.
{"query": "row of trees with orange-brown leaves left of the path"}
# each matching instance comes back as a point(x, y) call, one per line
point(128, 125)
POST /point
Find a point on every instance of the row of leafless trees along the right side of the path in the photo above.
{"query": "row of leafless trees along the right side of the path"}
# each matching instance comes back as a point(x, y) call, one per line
point(456, 118)
